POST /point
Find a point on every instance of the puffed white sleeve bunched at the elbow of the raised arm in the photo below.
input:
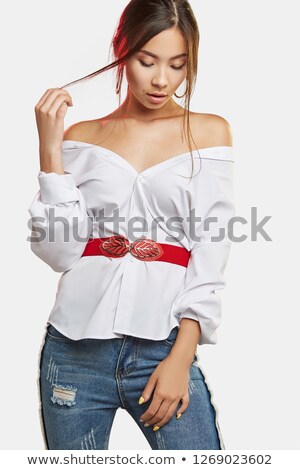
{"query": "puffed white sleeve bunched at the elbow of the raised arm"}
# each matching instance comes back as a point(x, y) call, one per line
point(60, 223)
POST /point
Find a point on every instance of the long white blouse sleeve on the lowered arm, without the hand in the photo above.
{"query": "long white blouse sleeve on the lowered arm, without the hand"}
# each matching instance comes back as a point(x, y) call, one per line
point(199, 299)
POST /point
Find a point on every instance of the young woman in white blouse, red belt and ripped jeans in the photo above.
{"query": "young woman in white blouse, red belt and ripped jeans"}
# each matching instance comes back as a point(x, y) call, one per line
point(124, 213)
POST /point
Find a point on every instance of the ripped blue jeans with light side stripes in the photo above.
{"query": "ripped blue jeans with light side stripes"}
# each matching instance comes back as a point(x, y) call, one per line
point(83, 383)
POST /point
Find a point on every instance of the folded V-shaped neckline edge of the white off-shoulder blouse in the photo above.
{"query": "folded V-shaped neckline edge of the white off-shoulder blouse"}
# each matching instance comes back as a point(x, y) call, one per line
point(151, 168)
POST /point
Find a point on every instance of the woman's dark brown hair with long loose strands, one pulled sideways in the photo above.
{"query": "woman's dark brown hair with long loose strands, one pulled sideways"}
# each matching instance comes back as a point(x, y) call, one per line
point(140, 21)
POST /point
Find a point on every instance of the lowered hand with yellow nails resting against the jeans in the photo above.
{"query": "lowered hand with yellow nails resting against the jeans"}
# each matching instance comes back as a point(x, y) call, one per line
point(169, 381)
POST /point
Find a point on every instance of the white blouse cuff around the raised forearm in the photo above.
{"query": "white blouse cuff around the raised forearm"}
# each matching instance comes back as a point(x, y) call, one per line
point(56, 188)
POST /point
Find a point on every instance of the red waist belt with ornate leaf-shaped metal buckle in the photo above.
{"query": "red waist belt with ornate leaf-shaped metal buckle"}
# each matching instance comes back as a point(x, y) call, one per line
point(142, 249)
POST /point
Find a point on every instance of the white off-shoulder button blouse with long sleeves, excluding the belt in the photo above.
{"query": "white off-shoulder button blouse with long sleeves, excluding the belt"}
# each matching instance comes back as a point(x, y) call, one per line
point(102, 297)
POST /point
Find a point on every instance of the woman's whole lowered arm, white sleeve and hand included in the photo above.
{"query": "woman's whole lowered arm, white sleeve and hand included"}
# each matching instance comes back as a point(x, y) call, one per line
point(198, 306)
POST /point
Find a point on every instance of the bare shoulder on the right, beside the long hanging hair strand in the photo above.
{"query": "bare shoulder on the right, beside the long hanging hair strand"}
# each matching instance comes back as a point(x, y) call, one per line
point(214, 129)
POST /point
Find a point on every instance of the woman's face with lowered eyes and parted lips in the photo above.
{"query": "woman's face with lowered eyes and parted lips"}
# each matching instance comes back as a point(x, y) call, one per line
point(159, 67)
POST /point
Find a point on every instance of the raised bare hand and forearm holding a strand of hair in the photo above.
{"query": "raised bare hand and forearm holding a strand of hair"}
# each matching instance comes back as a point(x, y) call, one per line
point(50, 112)
